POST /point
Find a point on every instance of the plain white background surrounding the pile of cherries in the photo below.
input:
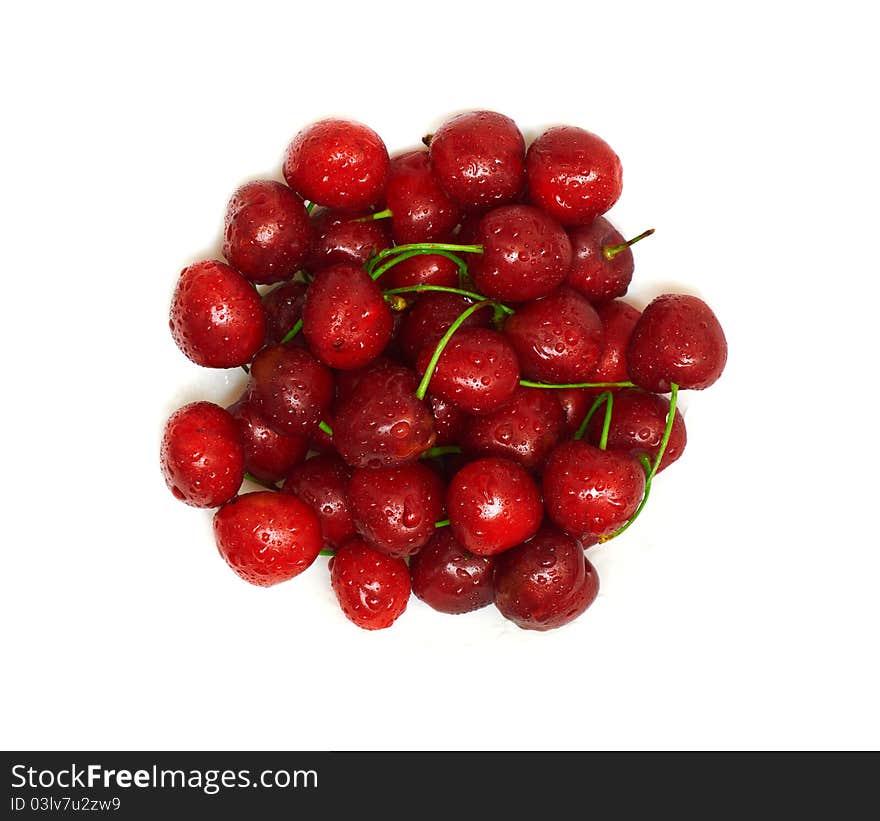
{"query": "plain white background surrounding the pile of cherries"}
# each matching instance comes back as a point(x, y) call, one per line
point(741, 611)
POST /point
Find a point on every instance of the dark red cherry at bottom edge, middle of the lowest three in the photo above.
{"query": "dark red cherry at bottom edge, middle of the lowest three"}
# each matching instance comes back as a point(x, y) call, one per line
point(449, 578)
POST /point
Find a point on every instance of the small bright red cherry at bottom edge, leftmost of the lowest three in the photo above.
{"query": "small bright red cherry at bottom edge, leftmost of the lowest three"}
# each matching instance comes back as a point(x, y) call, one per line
point(372, 588)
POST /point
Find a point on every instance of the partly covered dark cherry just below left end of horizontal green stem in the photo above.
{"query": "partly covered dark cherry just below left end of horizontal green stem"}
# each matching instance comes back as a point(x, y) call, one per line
point(526, 429)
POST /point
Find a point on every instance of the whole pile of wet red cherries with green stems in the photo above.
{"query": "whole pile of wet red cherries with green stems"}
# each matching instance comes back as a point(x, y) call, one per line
point(445, 392)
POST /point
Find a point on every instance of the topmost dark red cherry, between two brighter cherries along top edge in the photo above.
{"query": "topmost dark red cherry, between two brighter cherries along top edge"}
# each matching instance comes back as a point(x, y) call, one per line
point(478, 159)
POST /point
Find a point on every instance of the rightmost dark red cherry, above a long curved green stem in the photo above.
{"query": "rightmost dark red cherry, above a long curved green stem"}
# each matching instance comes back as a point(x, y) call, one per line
point(677, 339)
